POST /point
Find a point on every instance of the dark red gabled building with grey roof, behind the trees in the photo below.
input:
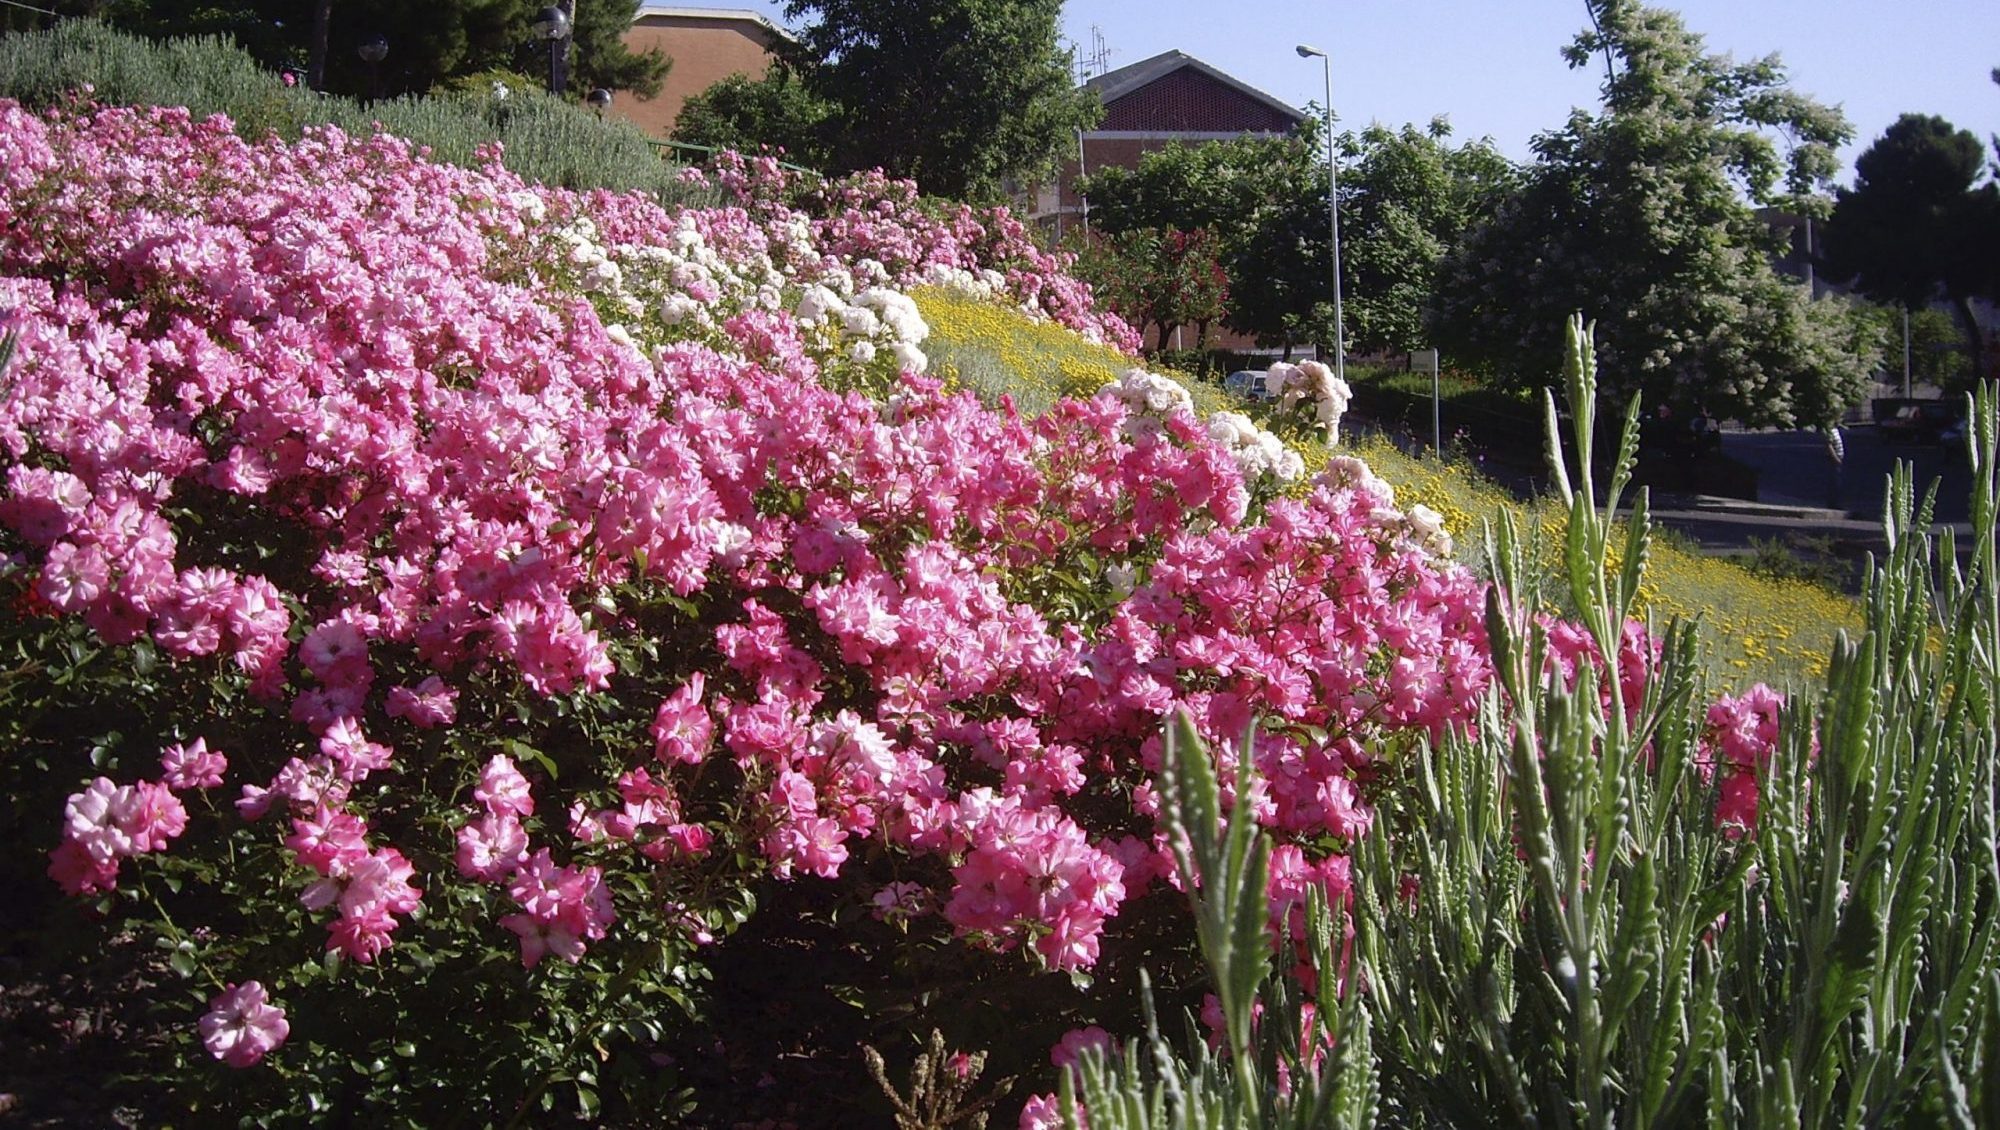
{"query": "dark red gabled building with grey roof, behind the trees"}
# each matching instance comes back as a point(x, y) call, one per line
point(1149, 107)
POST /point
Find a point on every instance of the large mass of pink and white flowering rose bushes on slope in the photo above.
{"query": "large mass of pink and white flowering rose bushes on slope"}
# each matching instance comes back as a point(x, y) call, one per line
point(559, 573)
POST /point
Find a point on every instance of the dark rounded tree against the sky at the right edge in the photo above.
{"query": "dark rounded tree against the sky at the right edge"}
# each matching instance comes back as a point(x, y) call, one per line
point(1915, 227)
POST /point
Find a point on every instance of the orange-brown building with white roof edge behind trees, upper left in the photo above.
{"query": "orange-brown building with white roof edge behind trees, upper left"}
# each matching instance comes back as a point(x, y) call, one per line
point(707, 47)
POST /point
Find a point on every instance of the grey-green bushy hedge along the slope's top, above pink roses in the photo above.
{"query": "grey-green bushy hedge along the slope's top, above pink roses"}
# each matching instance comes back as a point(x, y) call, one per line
point(543, 139)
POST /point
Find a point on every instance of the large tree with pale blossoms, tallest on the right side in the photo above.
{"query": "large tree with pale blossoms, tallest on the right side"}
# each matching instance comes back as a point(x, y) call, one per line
point(1641, 217)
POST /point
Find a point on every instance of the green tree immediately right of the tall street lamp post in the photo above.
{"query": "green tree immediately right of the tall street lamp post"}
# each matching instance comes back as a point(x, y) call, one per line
point(1407, 197)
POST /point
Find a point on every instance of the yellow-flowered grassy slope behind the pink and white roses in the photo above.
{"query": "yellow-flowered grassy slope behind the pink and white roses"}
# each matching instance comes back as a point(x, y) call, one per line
point(1755, 629)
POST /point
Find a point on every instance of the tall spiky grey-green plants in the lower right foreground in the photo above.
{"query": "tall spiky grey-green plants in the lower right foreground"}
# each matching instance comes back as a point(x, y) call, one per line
point(1563, 933)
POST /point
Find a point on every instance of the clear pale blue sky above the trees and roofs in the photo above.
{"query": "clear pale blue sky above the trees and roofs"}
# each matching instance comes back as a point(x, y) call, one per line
point(1493, 67)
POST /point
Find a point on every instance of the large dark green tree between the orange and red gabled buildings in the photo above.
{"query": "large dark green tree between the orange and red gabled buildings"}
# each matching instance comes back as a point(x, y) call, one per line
point(963, 97)
